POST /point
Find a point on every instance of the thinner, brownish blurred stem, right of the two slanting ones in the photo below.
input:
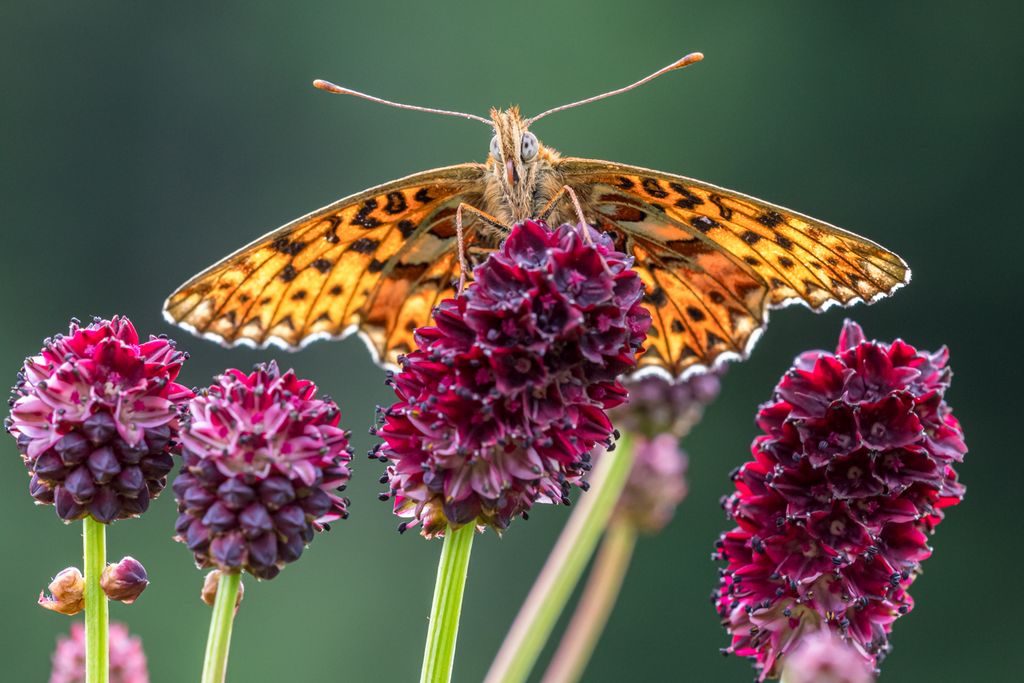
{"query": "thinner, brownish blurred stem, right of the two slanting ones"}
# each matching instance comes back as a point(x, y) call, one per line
point(595, 606)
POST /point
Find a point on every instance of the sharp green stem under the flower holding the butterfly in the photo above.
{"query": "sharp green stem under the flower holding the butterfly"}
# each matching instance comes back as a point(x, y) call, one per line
point(444, 629)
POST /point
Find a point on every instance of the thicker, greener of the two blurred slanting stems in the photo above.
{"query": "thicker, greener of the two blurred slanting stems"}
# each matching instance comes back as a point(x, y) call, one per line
point(562, 572)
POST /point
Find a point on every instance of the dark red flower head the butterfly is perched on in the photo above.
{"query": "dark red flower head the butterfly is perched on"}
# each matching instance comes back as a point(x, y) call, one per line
point(500, 406)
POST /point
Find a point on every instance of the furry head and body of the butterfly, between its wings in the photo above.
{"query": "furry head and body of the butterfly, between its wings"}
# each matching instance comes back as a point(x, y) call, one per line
point(518, 188)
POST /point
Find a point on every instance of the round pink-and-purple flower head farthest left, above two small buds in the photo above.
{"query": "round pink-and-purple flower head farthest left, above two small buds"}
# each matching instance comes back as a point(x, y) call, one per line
point(96, 416)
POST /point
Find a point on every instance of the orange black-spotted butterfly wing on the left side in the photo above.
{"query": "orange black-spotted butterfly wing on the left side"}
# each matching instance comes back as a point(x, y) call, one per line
point(376, 263)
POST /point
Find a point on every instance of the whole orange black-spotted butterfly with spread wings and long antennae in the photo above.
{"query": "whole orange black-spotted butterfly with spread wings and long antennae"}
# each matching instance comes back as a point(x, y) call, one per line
point(714, 262)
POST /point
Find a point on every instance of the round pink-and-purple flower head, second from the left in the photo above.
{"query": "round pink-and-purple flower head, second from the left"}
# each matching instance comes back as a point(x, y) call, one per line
point(263, 460)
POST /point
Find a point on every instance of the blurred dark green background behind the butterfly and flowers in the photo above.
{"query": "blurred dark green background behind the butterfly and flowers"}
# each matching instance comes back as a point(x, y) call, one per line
point(143, 142)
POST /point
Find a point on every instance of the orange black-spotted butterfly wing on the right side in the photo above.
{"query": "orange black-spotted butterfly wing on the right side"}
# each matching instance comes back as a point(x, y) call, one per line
point(714, 262)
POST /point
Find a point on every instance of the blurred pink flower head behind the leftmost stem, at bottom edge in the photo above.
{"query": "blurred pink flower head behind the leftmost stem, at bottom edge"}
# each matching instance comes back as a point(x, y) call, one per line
point(126, 657)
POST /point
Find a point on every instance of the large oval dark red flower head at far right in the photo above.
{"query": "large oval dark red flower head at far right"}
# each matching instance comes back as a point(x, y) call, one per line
point(834, 514)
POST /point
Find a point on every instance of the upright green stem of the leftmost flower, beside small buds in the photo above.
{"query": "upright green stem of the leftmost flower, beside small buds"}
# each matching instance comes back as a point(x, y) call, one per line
point(95, 551)
